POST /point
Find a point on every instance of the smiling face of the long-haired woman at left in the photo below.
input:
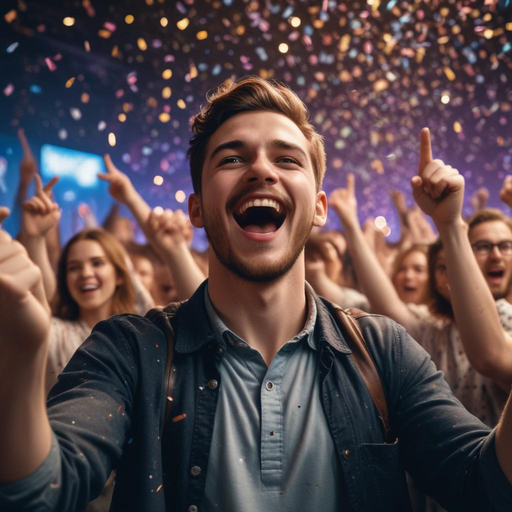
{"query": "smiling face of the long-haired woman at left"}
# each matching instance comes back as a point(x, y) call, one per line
point(91, 277)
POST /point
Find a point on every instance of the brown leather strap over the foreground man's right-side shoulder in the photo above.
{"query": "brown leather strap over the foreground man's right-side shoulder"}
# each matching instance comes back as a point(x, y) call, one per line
point(363, 361)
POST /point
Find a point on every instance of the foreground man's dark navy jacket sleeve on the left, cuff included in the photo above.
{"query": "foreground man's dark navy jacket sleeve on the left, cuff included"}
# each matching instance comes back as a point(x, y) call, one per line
point(89, 411)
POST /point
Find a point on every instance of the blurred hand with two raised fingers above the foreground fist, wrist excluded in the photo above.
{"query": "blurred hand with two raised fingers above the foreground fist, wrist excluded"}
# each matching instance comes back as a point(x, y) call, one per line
point(40, 213)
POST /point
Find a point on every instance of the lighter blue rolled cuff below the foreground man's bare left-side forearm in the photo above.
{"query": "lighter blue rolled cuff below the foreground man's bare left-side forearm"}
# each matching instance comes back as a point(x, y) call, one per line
point(38, 492)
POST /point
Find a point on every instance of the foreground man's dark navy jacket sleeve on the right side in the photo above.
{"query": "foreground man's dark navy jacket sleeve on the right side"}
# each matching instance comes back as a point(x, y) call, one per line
point(449, 452)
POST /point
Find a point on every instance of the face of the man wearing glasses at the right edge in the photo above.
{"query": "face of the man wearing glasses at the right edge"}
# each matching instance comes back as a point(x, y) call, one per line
point(496, 264)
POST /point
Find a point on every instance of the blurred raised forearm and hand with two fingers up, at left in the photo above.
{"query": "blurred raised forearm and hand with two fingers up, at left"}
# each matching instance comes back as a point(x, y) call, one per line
point(39, 215)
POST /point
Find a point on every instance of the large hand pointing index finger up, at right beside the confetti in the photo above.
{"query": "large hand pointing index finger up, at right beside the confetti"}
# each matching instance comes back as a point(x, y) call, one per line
point(438, 189)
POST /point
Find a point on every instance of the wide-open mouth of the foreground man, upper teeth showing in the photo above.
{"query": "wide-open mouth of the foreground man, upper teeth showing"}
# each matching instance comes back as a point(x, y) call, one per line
point(260, 215)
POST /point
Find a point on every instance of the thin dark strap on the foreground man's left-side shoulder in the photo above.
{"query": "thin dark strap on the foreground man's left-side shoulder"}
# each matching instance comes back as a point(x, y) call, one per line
point(161, 317)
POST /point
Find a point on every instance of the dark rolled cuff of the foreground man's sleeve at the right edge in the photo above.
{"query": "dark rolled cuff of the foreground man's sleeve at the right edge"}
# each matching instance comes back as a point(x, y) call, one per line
point(498, 487)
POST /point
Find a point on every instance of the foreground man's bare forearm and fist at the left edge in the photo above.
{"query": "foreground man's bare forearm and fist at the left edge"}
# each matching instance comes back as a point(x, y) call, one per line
point(25, 434)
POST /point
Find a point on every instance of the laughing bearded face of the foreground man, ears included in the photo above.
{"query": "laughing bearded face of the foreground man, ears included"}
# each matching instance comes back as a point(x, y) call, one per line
point(259, 200)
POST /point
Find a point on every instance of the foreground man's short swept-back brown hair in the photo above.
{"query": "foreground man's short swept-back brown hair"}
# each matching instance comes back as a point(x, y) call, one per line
point(247, 94)
